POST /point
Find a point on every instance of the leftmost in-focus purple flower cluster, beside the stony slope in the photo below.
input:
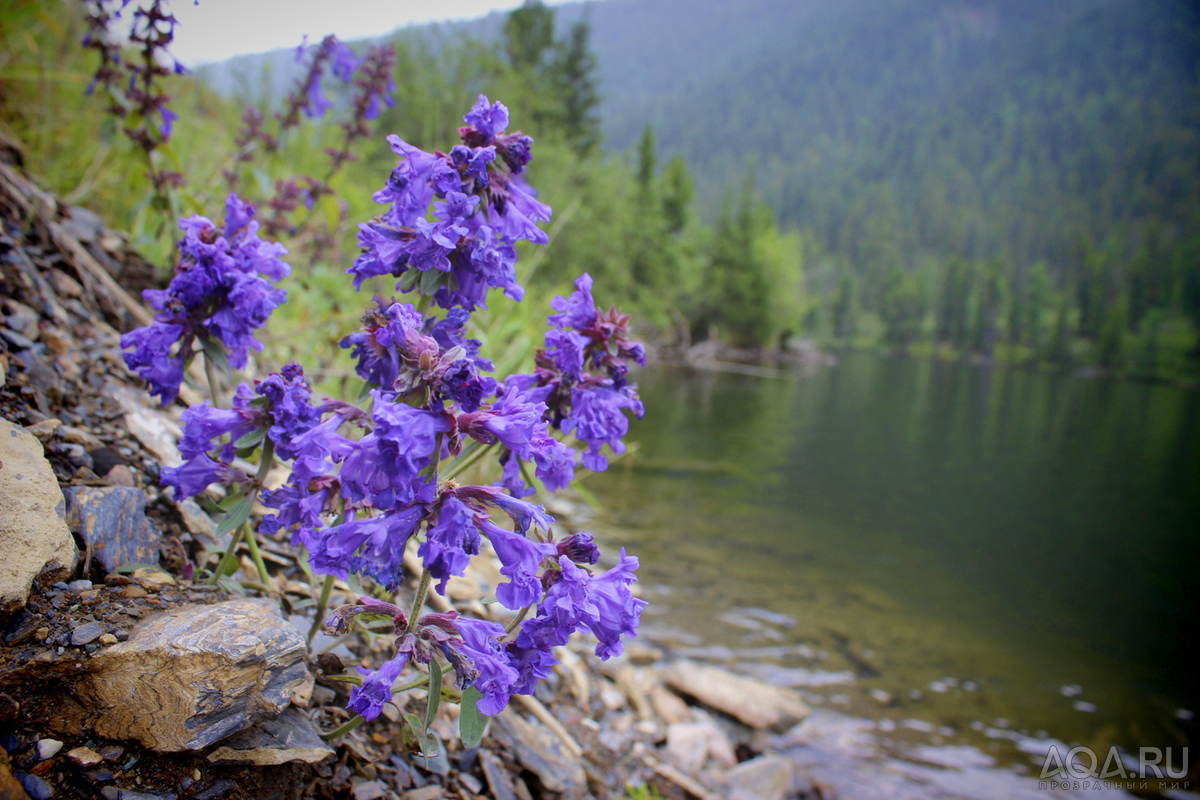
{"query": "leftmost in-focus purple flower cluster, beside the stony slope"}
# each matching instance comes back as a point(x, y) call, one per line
point(221, 292)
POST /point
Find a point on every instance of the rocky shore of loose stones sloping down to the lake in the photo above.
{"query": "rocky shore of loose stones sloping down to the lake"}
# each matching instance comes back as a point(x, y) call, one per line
point(122, 678)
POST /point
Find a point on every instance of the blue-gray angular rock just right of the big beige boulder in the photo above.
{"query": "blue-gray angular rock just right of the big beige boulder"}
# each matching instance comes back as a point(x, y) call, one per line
point(112, 520)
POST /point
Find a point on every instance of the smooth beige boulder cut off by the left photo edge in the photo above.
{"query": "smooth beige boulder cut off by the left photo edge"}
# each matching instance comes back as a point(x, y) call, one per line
point(34, 534)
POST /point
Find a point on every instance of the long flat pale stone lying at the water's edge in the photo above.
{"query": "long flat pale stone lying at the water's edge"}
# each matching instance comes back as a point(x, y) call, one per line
point(751, 702)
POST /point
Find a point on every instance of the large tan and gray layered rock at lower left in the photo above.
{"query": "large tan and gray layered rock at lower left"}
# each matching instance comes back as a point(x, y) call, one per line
point(191, 677)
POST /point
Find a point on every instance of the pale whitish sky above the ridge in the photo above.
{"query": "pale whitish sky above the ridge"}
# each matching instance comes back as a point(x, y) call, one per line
point(217, 29)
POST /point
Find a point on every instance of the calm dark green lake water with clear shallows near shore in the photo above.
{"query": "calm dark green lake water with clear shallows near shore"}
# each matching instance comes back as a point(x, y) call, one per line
point(969, 550)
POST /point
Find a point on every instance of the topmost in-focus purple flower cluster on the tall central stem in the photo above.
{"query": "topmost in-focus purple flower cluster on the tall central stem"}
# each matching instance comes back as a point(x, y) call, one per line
point(482, 206)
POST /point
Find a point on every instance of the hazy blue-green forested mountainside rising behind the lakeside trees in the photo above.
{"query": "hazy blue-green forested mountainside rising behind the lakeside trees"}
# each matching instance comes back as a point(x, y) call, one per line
point(899, 131)
